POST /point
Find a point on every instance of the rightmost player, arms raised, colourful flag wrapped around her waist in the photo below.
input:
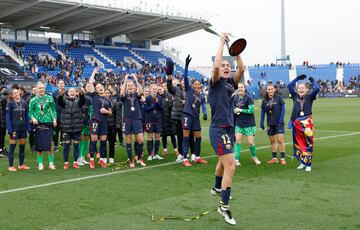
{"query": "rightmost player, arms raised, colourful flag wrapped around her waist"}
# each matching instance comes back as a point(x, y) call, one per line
point(301, 120)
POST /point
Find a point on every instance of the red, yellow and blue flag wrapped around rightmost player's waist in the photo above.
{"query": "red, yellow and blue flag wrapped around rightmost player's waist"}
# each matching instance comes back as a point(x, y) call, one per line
point(303, 138)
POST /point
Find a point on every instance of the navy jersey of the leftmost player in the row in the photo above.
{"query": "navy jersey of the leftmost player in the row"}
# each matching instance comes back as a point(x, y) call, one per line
point(16, 116)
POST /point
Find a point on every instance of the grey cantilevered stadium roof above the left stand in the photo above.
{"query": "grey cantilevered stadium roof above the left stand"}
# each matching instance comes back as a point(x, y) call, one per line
point(75, 17)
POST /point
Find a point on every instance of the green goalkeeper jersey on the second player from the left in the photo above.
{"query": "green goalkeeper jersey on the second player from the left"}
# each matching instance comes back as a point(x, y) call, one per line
point(42, 108)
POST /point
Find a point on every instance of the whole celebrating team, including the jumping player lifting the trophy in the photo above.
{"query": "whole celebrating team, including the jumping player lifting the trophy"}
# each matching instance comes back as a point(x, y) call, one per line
point(91, 117)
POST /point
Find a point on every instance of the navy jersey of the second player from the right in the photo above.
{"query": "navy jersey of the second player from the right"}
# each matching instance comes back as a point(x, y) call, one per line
point(273, 109)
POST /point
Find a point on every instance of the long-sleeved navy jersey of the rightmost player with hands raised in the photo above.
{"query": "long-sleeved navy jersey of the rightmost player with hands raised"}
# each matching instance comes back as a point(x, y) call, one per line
point(302, 106)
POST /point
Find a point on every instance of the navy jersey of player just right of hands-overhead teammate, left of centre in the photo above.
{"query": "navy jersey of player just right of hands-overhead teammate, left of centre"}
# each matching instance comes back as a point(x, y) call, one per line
point(153, 109)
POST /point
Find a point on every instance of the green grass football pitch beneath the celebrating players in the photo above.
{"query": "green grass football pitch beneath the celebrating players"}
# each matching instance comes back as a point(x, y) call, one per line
point(264, 197)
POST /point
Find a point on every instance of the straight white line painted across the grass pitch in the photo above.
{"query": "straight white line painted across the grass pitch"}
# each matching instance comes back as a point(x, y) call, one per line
point(138, 169)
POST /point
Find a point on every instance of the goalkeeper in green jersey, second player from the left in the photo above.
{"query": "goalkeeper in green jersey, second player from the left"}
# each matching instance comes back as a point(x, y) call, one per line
point(42, 112)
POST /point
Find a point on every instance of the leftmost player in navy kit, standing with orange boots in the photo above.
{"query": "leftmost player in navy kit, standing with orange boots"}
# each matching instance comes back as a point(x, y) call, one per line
point(17, 123)
